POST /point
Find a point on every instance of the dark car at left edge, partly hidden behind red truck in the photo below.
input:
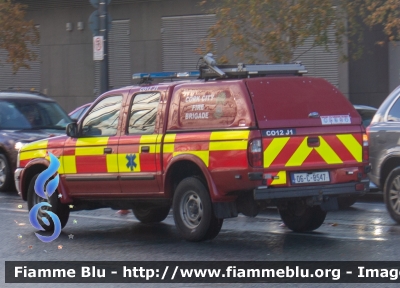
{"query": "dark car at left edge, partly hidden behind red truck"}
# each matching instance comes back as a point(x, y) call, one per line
point(25, 117)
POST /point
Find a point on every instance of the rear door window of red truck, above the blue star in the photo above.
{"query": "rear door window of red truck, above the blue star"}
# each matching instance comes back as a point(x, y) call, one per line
point(143, 113)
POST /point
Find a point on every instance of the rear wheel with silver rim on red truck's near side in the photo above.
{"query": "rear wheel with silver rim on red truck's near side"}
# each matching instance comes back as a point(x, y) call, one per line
point(193, 213)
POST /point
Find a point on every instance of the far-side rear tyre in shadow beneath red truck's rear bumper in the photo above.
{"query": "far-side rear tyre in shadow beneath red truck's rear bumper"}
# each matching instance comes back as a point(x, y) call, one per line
point(299, 217)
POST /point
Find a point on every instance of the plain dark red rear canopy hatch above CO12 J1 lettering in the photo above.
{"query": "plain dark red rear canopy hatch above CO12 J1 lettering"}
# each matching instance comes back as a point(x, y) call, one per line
point(291, 102)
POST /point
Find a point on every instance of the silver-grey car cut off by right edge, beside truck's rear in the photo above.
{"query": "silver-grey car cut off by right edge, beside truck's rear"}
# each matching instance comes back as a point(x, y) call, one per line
point(384, 152)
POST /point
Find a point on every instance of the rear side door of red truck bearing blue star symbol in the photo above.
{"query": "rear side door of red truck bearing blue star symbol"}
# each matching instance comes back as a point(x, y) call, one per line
point(138, 148)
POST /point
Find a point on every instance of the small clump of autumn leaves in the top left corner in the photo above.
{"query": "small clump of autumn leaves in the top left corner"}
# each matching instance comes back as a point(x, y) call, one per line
point(17, 35)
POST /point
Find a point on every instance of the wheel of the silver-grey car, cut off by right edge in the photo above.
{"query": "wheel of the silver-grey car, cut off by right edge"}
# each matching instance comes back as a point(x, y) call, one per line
point(391, 194)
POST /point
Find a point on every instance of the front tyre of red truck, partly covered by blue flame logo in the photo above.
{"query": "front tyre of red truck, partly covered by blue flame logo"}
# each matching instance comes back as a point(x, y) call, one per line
point(61, 210)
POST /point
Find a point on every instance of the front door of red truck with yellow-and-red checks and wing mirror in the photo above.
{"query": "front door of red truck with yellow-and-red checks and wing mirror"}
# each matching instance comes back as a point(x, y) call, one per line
point(90, 161)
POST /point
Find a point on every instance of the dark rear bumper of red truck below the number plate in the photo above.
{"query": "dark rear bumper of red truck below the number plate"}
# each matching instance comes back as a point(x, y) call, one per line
point(264, 193)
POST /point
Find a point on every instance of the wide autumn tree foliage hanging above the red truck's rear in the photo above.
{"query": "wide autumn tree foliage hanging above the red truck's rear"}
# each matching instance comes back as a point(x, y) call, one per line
point(273, 29)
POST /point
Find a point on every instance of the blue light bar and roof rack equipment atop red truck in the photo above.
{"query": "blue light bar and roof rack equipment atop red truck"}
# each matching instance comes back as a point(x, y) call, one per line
point(209, 70)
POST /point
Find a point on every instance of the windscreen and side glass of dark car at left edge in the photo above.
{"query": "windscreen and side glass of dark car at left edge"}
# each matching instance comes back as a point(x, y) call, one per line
point(30, 115)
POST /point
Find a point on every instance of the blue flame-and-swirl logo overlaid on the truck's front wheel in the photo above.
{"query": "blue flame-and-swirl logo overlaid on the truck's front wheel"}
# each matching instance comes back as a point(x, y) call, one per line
point(45, 194)
